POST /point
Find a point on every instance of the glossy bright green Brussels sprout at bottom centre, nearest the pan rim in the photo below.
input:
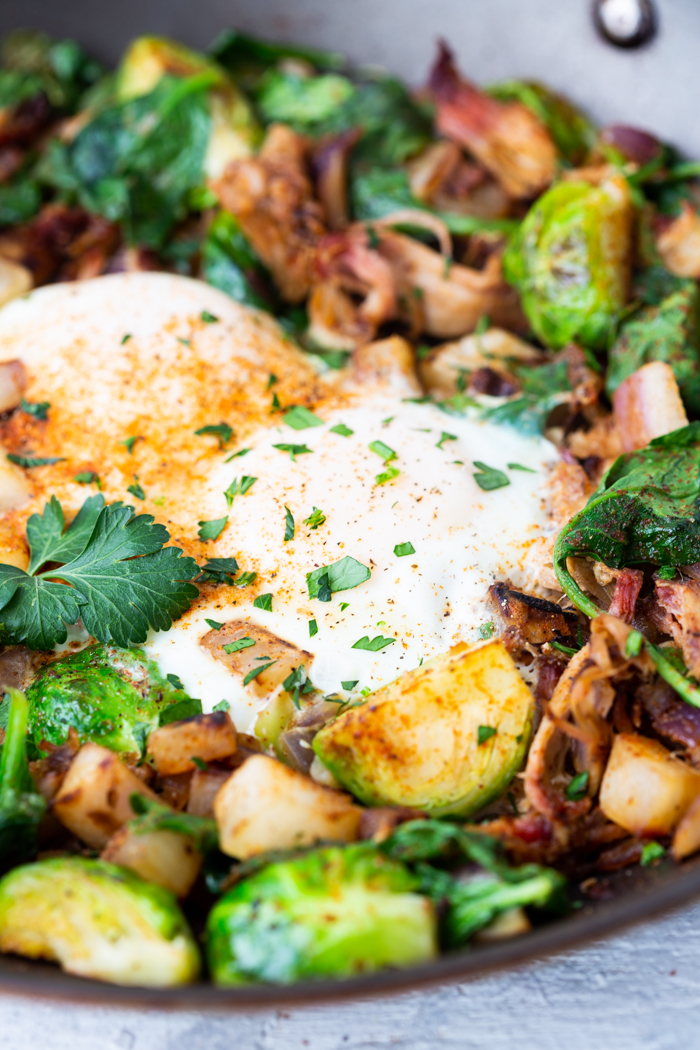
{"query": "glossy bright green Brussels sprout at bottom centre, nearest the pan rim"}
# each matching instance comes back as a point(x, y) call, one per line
point(332, 913)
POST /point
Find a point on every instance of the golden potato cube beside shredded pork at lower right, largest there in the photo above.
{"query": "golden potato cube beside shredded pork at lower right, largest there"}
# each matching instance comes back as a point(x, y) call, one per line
point(645, 789)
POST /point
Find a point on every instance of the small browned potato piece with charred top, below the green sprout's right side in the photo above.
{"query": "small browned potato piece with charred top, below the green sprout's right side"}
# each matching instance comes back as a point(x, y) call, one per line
point(209, 738)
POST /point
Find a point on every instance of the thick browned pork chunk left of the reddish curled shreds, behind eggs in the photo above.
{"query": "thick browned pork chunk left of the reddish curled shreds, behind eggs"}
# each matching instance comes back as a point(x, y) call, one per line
point(272, 198)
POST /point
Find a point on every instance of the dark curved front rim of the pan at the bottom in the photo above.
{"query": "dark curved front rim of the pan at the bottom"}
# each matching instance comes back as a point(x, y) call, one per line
point(674, 890)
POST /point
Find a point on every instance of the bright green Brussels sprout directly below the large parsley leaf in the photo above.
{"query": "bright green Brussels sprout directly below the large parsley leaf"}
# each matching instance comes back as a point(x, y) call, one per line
point(112, 697)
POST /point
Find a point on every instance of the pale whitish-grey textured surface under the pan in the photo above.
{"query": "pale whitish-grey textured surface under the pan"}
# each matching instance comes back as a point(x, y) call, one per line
point(639, 992)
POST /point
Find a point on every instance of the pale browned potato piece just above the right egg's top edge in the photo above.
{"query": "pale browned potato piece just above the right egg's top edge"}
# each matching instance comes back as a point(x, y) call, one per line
point(441, 370)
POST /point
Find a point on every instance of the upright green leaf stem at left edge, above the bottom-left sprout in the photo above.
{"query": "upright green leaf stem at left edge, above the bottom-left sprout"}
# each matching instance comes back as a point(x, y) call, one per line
point(22, 806)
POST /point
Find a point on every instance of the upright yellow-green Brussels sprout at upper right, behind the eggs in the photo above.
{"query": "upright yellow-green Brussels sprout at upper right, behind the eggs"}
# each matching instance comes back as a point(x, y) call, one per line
point(570, 261)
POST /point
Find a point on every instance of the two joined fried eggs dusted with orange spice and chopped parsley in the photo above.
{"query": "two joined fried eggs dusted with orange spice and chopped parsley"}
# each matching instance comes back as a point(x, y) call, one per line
point(156, 358)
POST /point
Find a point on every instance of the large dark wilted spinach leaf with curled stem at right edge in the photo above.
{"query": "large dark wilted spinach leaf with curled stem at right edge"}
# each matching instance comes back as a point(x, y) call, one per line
point(647, 509)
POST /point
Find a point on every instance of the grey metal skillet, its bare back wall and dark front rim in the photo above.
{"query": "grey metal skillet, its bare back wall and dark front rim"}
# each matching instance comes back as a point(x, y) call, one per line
point(538, 39)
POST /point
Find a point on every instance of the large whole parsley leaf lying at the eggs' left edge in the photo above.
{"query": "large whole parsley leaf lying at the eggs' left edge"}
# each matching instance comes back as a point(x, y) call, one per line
point(116, 575)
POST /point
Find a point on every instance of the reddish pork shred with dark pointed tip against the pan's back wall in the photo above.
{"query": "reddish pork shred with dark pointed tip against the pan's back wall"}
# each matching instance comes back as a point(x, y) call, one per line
point(507, 138)
